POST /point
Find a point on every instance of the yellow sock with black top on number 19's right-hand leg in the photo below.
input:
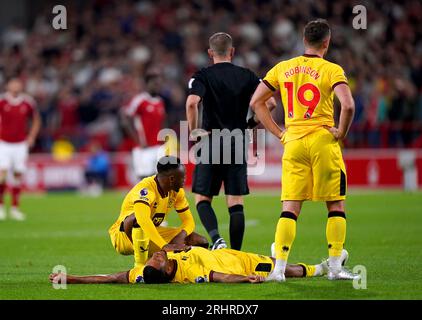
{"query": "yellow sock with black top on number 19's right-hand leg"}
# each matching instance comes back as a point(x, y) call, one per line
point(336, 235)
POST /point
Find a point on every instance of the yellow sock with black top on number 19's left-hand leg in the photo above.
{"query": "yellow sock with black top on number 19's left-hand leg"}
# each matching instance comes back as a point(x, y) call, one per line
point(284, 237)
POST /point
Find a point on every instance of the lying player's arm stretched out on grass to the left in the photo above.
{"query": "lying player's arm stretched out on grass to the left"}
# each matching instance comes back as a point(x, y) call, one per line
point(120, 277)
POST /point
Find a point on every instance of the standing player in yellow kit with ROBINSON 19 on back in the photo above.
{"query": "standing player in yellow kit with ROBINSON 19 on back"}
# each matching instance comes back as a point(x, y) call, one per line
point(312, 165)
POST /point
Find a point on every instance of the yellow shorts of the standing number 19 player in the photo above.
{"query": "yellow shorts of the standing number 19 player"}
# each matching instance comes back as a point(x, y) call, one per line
point(313, 168)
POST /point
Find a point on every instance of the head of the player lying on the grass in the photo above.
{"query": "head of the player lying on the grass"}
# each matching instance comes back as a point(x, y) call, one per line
point(158, 269)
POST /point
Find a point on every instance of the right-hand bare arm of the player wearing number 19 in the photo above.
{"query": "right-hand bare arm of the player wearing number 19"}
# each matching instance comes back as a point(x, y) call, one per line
point(343, 93)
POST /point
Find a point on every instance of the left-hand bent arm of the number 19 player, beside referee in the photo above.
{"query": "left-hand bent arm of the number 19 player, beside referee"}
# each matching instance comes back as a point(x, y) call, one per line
point(258, 104)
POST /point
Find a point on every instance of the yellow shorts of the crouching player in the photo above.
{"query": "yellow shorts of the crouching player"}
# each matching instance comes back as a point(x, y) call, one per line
point(124, 246)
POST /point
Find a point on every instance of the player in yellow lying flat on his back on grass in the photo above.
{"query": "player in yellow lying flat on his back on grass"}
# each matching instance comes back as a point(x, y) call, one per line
point(201, 265)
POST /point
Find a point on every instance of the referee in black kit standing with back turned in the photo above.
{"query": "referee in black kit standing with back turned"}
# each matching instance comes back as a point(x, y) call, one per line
point(225, 91)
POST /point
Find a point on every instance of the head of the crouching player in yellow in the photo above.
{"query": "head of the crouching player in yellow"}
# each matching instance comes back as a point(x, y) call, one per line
point(172, 172)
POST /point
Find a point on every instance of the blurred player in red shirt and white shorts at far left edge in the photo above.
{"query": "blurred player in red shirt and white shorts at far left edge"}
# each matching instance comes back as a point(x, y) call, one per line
point(16, 110)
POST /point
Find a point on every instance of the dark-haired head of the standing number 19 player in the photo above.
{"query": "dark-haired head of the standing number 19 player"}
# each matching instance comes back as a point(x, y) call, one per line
point(317, 34)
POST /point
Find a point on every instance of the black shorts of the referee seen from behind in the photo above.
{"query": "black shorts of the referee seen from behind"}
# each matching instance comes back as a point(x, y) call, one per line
point(208, 178)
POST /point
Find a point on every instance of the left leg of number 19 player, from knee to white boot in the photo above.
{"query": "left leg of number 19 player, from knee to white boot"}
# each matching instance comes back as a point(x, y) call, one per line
point(284, 237)
